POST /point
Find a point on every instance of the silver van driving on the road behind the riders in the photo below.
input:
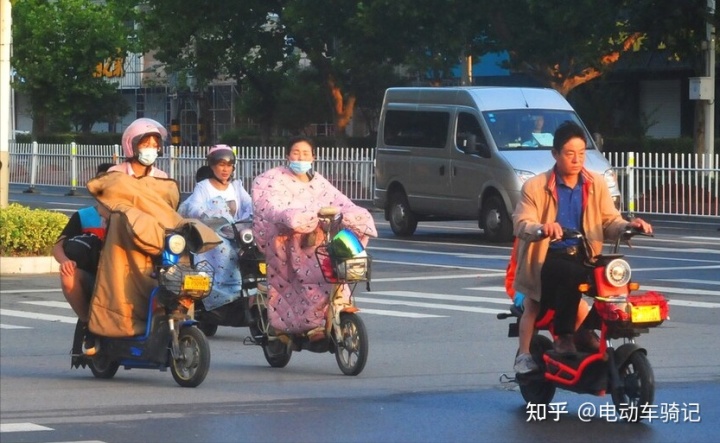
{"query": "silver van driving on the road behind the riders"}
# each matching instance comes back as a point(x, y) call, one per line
point(463, 153)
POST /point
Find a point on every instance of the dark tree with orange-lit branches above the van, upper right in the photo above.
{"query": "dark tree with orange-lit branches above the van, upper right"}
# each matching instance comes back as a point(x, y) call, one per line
point(565, 43)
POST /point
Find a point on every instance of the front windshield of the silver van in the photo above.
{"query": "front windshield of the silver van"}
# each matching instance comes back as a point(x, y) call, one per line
point(517, 129)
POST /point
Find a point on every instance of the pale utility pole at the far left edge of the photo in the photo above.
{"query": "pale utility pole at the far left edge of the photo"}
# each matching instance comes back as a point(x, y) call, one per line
point(5, 91)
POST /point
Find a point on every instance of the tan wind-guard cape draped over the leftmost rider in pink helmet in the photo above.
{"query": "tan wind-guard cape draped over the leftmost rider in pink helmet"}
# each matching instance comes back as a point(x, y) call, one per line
point(140, 212)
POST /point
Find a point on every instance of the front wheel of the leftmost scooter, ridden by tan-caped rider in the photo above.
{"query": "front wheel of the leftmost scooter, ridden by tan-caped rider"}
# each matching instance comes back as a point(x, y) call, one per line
point(192, 365)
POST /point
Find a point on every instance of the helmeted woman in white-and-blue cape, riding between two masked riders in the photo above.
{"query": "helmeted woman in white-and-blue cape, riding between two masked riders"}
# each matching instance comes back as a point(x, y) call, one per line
point(220, 197)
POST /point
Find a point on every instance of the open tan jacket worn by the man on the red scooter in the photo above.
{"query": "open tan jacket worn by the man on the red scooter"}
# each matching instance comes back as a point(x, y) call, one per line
point(538, 205)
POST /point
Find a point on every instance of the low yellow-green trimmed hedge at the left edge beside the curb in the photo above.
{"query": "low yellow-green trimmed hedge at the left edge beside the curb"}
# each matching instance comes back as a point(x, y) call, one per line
point(29, 232)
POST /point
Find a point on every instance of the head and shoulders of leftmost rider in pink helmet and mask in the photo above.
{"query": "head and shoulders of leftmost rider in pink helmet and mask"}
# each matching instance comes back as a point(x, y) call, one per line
point(142, 143)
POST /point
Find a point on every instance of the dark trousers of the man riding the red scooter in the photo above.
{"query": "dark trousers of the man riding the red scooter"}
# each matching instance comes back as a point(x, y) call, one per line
point(560, 276)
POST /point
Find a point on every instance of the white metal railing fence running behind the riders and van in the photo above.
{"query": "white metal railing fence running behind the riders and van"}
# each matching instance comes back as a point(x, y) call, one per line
point(676, 184)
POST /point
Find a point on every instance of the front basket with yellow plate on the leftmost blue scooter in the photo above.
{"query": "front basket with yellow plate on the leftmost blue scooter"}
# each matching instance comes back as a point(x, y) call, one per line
point(183, 280)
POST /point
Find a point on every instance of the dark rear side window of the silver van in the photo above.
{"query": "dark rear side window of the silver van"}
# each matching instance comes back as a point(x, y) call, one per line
point(424, 129)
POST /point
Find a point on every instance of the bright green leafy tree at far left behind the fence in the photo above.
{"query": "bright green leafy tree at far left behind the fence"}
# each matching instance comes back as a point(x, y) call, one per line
point(56, 49)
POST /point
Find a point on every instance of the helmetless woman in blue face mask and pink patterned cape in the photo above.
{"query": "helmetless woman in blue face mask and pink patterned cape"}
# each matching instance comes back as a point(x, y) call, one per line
point(286, 200)
